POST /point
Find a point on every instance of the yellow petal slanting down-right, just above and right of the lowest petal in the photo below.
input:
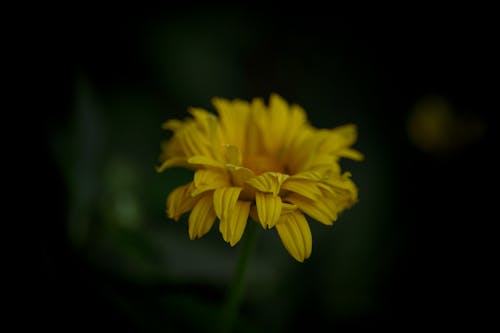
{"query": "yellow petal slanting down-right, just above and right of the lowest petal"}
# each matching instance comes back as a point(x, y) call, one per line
point(320, 209)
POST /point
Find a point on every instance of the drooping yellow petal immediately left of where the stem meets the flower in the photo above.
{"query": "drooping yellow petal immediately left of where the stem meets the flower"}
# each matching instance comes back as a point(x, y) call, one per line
point(233, 226)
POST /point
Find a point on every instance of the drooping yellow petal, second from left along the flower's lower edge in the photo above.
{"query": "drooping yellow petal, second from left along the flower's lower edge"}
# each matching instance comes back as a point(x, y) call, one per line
point(202, 217)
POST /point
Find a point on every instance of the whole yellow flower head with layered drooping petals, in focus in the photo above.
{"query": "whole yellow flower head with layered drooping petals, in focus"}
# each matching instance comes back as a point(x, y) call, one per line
point(263, 162)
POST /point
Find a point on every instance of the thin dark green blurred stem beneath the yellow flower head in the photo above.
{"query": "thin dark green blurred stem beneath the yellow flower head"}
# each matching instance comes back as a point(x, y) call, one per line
point(237, 288)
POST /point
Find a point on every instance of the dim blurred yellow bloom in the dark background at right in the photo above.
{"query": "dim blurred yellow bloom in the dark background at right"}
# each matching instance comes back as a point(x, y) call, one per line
point(434, 127)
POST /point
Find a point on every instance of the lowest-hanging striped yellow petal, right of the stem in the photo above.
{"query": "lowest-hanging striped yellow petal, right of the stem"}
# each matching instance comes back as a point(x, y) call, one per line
point(295, 235)
